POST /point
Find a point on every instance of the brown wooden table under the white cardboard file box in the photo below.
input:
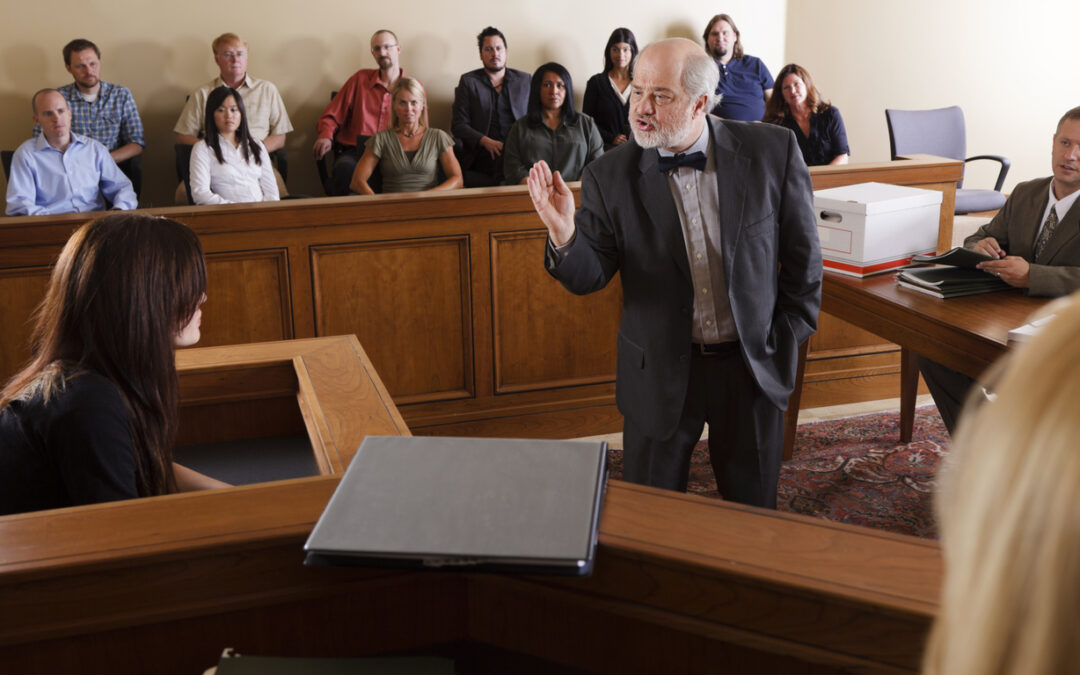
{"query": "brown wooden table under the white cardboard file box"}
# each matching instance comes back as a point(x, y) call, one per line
point(967, 334)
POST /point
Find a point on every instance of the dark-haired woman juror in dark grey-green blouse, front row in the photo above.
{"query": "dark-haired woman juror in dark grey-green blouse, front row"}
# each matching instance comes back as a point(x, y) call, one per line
point(551, 130)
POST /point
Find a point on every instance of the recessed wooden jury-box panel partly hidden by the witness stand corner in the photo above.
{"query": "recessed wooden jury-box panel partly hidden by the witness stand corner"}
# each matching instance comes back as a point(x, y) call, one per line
point(411, 301)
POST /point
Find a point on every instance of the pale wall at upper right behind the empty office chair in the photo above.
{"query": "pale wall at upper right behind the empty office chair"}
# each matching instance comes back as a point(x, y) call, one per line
point(1005, 63)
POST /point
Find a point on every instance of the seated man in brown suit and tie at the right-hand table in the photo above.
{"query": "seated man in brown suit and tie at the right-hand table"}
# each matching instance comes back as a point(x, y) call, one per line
point(1035, 240)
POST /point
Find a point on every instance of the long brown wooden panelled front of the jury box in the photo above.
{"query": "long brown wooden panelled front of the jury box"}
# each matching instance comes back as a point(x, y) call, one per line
point(447, 290)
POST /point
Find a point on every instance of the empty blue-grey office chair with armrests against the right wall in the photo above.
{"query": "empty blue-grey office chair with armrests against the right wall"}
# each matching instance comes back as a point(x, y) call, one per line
point(941, 132)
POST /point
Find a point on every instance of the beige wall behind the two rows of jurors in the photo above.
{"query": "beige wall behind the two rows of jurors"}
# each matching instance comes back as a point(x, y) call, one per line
point(310, 48)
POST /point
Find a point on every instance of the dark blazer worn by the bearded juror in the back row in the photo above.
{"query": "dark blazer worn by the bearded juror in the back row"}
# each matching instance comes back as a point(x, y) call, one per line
point(472, 109)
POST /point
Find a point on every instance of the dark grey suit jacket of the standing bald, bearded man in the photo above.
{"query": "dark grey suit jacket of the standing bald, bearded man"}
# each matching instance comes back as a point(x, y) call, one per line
point(628, 223)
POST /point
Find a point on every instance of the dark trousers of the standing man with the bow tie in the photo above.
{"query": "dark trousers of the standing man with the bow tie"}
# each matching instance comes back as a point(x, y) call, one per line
point(746, 435)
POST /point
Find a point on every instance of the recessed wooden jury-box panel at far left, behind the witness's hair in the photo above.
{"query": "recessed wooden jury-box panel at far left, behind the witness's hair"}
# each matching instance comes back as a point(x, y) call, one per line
point(21, 292)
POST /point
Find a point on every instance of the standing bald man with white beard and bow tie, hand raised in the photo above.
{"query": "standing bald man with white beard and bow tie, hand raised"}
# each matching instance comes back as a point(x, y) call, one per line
point(712, 227)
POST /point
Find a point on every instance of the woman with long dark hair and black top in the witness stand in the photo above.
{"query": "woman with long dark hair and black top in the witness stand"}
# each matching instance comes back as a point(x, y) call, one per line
point(93, 416)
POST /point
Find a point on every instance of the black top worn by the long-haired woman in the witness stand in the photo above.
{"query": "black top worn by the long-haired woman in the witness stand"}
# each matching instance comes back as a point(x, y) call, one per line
point(75, 451)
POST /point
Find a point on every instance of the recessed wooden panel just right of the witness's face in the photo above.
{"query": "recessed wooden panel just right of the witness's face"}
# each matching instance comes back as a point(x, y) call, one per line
point(248, 298)
